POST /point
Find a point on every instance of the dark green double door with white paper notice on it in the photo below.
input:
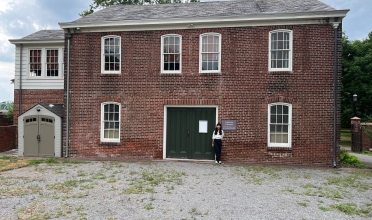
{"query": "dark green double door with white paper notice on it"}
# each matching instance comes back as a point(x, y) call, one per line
point(189, 133)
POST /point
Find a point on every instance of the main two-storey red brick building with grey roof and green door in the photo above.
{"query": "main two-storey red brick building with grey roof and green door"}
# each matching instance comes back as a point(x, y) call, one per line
point(152, 81)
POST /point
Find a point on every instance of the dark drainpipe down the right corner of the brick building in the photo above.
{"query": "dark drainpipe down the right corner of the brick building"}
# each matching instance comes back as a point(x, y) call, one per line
point(335, 26)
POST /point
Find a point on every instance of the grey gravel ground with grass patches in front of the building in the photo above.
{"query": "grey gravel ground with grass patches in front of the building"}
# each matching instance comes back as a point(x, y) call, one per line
point(182, 190)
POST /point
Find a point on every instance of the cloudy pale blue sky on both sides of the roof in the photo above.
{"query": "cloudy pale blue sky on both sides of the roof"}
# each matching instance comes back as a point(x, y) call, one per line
point(19, 18)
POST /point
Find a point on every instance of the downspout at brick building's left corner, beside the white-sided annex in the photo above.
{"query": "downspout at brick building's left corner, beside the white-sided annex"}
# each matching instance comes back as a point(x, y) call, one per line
point(68, 94)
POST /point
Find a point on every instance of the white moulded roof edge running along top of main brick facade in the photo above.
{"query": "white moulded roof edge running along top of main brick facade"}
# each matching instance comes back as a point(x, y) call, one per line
point(217, 19)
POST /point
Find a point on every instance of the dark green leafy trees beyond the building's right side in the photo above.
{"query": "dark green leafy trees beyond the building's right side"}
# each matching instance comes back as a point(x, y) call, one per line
point(356, 79)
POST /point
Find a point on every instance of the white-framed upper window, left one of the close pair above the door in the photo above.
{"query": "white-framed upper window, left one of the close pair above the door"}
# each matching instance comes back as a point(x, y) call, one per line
point(171, 53)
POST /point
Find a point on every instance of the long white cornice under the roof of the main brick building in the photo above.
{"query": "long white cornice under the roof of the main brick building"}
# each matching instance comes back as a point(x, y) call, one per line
point(202, 22)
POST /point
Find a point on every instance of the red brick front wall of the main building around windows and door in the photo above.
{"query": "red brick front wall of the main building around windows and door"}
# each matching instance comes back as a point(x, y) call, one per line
point(242, 91)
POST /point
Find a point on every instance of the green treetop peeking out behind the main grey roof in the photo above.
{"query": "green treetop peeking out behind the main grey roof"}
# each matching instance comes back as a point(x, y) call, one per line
point(99, 4)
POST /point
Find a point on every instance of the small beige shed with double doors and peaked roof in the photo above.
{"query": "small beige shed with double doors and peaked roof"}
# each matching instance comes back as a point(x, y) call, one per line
point(40, 131)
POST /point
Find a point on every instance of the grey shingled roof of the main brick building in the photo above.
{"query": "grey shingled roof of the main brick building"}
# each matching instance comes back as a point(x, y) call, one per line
point(204, 9)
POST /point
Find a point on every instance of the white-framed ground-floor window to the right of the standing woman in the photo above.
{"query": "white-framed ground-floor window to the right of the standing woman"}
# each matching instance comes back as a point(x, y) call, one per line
point(279, 125)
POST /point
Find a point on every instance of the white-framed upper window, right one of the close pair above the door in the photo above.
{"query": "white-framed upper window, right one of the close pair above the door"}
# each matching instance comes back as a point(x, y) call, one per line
point(210, 53)
